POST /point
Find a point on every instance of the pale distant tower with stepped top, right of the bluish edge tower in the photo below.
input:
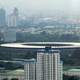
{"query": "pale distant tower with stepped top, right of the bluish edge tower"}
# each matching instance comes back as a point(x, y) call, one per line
point(13, 18)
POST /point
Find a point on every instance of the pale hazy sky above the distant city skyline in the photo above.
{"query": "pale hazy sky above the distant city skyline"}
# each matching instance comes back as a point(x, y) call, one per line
point(65, 6)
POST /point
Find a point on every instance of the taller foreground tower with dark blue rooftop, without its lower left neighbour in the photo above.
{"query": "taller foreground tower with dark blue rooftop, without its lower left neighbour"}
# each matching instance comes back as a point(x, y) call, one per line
point(49, 66)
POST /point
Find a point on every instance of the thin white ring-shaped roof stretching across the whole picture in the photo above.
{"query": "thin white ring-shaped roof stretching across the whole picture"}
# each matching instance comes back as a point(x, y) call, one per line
point(42, 45)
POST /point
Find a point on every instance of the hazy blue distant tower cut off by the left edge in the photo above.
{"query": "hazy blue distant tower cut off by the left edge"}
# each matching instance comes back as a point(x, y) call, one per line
point(2, 17)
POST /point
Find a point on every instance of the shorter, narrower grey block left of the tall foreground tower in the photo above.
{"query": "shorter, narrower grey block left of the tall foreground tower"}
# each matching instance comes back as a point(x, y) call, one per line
point(30, 69)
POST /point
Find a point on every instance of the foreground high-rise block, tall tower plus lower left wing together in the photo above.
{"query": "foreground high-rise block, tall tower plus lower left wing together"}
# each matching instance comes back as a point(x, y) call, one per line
point(48, 66)
